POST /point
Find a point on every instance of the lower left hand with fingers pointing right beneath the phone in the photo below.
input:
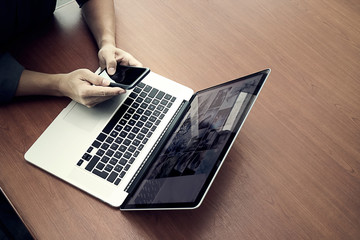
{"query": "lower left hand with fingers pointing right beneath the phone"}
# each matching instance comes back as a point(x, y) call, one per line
point(87, 88)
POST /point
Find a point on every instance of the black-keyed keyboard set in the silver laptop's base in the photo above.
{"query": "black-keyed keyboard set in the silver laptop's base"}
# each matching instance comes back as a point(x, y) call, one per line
point(121, 141)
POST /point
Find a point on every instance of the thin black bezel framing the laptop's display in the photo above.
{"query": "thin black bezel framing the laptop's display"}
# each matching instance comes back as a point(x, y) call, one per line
point(201, 195)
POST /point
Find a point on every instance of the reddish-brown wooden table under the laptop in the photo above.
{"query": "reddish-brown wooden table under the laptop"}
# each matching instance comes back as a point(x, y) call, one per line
point(293, 172)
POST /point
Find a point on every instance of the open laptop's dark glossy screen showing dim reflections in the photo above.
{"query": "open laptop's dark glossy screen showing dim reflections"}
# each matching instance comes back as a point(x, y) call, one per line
point(185, 167)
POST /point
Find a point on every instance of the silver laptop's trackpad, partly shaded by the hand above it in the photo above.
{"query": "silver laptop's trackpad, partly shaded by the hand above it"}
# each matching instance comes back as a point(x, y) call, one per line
point(87, 118)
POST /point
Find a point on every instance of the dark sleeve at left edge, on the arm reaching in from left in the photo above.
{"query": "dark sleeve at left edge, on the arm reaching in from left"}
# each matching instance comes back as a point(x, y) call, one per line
point(10, 72)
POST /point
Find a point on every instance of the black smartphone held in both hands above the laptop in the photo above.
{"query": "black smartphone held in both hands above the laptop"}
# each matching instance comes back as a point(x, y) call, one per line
point(126, 77)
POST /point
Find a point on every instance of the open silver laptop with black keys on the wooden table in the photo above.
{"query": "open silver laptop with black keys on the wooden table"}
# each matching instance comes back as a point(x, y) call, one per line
point(158, 146)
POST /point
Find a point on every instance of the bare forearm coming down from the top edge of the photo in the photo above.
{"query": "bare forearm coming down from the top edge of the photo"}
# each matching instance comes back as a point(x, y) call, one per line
point(100, 17)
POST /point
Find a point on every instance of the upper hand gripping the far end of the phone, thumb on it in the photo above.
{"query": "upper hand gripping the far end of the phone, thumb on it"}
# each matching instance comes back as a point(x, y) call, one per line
point(109, 56)
